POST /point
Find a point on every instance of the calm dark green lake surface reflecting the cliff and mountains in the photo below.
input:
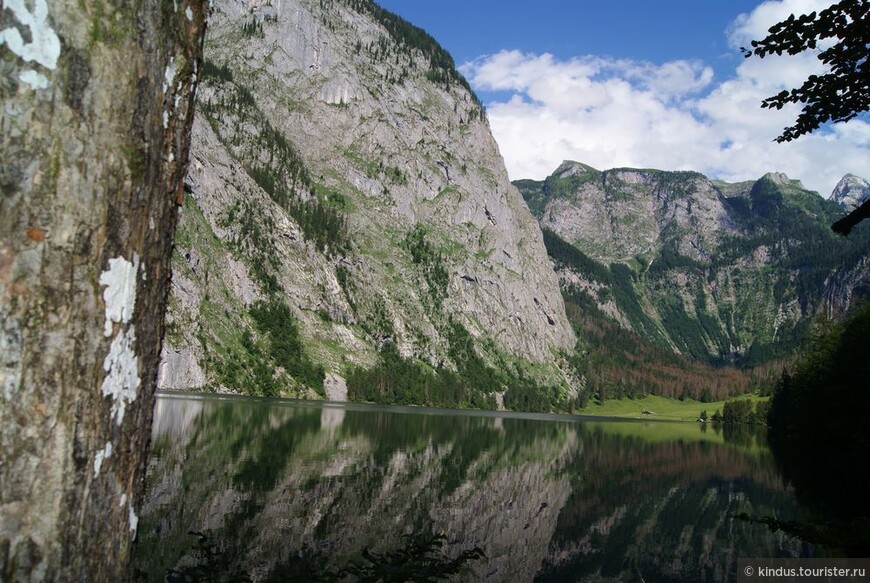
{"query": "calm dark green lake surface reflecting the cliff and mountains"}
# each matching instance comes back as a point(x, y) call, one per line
point(243, 489)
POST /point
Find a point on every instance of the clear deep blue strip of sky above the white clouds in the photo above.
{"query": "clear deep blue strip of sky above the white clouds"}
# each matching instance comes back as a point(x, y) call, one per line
point(658, 31)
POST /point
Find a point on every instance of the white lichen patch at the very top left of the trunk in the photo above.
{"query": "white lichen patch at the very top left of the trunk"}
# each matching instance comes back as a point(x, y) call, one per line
point(44, 46)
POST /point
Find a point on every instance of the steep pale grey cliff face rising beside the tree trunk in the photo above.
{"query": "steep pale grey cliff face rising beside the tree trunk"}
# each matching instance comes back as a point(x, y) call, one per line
point(343, 169)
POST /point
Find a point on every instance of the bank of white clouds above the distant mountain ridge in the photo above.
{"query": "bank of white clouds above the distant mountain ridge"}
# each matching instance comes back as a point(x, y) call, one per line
point(610, 113)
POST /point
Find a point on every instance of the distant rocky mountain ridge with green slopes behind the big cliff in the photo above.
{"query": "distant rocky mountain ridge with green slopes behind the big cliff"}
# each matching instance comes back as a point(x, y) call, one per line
point(718, 271)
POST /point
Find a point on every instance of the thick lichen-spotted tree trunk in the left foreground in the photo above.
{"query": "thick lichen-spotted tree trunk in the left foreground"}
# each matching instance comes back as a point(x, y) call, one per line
point(96, 104)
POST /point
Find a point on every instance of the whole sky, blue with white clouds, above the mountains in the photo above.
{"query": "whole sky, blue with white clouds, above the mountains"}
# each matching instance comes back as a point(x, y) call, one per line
point(644, 84)
